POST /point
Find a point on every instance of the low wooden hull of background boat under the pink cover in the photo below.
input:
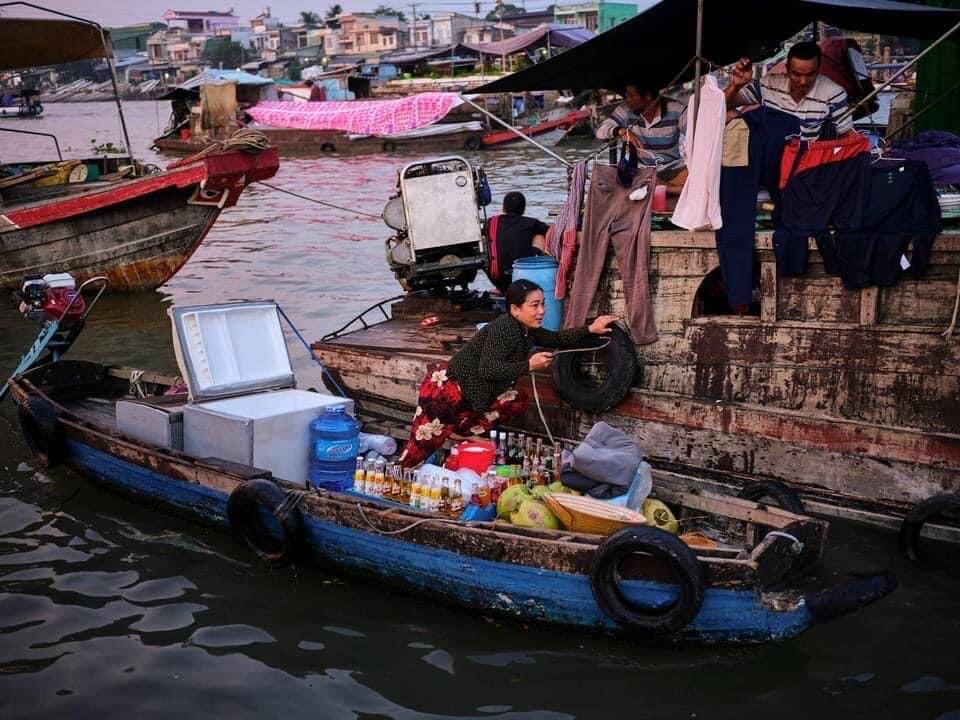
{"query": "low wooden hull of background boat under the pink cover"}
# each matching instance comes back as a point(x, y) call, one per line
point(291, 143)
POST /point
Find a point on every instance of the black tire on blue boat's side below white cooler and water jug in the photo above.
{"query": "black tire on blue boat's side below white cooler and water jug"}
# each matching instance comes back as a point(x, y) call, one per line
point(243, 508)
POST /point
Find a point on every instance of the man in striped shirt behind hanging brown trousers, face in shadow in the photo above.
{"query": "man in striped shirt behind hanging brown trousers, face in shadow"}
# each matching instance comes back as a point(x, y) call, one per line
point(653, 124)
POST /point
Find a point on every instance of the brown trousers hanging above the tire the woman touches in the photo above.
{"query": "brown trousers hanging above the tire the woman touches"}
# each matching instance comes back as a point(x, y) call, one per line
point(612, 217)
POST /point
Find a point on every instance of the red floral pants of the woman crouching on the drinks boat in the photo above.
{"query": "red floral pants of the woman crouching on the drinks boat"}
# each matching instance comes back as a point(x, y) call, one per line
point(442, 410)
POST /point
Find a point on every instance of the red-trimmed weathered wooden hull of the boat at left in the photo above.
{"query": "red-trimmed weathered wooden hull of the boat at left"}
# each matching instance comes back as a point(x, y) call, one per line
point(138, 233)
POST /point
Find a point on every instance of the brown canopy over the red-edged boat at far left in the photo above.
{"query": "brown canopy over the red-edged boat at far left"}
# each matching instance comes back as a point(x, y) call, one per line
point(31, 42)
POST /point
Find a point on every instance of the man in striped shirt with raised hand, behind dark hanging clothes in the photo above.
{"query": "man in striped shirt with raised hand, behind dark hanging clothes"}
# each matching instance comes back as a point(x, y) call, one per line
point(803, 92)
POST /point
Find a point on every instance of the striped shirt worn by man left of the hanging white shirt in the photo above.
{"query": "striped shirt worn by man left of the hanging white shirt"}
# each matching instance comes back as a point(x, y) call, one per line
point(662, 135)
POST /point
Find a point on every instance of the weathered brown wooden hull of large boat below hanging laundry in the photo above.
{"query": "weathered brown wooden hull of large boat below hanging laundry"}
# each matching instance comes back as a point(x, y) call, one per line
point(851, 398)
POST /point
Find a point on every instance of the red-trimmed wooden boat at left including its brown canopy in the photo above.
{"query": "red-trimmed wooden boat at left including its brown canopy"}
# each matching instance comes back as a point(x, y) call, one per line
point(111, 216)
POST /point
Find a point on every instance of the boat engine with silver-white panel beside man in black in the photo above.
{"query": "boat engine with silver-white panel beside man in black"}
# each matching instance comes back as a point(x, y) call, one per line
point(439, 222)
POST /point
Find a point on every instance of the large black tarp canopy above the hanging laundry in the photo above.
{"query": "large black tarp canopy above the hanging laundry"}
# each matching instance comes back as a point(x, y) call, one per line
point(656, 44)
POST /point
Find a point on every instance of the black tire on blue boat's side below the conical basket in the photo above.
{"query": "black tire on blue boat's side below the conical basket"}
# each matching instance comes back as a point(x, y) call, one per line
point(674, 553)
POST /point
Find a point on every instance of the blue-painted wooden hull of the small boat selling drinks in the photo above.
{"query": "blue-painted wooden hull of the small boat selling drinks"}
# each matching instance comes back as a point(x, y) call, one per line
point(486, 568)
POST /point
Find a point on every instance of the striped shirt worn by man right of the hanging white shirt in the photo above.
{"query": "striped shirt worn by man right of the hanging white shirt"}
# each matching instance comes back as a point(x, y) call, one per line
point(826, 100)
